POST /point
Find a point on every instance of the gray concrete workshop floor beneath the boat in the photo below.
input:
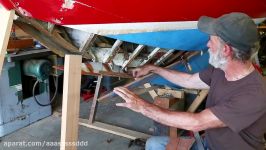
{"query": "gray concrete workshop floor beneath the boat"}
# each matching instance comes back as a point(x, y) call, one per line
point(48, 130)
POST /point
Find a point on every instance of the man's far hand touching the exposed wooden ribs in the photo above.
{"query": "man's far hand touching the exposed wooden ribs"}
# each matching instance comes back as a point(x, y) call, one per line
point(142, 71)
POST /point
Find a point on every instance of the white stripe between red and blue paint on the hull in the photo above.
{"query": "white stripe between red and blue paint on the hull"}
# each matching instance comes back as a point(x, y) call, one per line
point(125, 28)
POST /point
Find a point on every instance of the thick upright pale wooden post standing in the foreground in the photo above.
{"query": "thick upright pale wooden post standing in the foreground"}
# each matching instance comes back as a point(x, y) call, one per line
point(71, 101)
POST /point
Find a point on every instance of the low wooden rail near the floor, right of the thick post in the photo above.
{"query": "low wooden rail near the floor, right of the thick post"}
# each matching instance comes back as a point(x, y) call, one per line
point(113, 129)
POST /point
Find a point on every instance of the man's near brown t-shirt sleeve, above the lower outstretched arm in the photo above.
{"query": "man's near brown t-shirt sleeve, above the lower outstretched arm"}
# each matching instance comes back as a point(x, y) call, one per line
point(242, 110)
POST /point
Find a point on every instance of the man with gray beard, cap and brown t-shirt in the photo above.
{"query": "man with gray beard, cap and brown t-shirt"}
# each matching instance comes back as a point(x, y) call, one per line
point(235, 114)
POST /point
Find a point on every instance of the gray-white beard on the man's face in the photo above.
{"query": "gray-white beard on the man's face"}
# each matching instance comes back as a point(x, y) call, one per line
point(217, 60)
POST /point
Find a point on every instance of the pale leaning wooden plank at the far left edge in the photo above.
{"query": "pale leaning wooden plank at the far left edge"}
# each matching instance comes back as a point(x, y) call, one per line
point(6, 25)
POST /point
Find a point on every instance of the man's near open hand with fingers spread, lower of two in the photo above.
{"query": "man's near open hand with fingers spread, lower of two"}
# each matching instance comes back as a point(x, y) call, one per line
point(132, 101)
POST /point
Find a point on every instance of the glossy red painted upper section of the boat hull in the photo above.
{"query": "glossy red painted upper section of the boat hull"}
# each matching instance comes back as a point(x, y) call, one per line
point(126, 11)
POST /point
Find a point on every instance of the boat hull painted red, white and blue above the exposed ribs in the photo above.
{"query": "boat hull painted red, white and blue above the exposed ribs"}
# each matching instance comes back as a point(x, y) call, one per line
point(166, 24)
